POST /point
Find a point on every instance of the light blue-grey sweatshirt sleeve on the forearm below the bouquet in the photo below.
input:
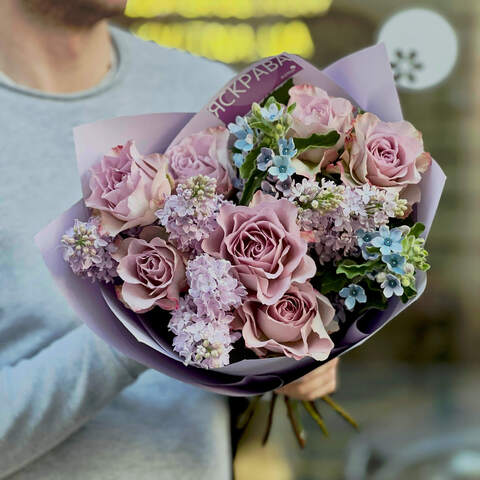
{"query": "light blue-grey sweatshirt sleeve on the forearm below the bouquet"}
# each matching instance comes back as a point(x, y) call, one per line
point(46, 398)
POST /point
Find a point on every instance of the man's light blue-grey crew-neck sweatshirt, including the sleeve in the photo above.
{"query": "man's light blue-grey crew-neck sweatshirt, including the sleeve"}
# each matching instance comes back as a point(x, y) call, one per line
point(69, 407)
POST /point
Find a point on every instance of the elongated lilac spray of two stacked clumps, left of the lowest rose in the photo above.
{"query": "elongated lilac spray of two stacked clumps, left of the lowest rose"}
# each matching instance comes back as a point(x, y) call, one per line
point(202, 323)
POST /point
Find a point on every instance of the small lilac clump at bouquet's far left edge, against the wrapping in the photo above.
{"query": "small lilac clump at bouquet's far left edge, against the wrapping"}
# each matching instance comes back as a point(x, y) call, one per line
point(88, 252)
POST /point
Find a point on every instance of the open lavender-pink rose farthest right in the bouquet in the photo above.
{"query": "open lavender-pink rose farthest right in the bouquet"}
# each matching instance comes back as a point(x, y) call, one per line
point(385, 154)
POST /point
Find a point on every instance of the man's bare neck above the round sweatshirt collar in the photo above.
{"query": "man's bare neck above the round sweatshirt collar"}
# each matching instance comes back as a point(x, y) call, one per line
point(51, 58)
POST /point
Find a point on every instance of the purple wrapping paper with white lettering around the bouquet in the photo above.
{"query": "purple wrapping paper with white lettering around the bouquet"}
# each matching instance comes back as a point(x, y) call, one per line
point(363, 77)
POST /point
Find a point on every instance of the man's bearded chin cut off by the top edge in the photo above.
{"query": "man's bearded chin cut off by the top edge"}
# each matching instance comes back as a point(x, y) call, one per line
point(73, 13)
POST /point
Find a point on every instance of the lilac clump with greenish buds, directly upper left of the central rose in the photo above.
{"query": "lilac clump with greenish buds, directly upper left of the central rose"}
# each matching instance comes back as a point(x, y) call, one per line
point(190, 215)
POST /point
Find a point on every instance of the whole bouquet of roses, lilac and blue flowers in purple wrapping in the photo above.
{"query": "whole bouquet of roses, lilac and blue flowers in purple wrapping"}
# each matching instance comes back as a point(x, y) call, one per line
point(239, 247)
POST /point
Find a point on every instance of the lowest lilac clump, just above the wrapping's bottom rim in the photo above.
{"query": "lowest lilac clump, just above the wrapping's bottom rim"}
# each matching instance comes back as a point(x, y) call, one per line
point(199, 340)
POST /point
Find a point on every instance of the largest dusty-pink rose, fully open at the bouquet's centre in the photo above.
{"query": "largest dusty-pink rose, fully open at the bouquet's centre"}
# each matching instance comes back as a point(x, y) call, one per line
point(264, 246)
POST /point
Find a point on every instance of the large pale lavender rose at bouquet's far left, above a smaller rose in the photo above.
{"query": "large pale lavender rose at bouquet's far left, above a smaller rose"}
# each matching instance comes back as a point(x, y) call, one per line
point(127, 188)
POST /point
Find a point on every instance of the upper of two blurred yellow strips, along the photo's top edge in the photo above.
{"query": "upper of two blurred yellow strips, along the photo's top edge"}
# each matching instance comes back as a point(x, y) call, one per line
point(226, 8)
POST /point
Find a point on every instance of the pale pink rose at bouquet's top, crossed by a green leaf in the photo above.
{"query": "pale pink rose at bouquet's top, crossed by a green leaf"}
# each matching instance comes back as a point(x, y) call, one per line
point(317, 112)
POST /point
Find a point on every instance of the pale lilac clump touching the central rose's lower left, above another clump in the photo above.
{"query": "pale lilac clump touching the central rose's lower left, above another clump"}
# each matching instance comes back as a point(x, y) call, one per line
point(213, 289)
